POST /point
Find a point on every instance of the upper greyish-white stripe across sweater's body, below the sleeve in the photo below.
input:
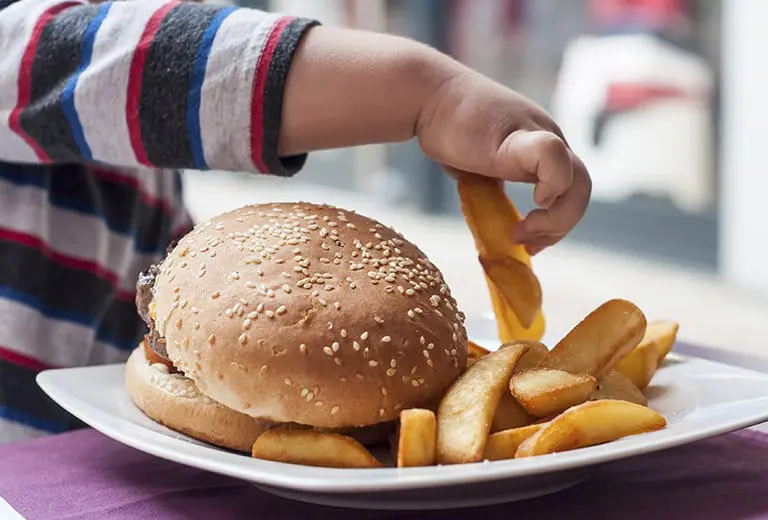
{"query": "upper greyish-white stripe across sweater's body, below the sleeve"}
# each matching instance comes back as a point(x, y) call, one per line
point(26, 210)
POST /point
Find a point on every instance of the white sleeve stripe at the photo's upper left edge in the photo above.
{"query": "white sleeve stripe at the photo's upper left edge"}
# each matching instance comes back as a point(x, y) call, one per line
point(16, 24)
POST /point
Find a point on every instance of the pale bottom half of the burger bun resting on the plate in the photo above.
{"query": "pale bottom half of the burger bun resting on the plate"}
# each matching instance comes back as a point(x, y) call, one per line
point(175, 402)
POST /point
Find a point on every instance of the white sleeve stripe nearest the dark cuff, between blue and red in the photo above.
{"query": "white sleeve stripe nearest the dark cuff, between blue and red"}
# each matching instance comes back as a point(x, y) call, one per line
point(225, 105)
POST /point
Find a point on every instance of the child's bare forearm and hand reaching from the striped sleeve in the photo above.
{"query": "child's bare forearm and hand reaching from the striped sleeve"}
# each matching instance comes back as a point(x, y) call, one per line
point(349, 87)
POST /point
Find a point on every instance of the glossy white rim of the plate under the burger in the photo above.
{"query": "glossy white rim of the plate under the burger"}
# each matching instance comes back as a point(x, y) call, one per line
point(344, 481)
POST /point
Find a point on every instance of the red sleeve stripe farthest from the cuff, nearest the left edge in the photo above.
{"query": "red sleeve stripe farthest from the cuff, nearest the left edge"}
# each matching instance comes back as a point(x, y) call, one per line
point(25, 78)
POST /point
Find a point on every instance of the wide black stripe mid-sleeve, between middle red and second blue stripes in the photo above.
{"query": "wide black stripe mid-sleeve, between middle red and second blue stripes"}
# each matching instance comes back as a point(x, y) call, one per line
point(165, 84)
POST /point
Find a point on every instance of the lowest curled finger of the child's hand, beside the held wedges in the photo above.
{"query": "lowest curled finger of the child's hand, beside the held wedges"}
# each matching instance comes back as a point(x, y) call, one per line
point(544, 227)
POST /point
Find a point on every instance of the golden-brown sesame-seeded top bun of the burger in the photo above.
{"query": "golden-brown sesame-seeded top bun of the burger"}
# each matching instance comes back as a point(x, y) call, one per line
point(296, 312)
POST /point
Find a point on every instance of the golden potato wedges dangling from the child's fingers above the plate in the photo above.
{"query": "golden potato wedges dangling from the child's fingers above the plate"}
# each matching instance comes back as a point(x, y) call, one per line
point(491, 217)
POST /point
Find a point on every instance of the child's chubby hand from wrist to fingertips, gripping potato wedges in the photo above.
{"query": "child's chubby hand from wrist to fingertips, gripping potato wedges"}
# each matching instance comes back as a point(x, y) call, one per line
point(472, 124)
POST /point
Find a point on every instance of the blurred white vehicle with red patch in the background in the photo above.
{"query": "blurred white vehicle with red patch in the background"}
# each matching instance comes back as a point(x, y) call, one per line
point(638, 110)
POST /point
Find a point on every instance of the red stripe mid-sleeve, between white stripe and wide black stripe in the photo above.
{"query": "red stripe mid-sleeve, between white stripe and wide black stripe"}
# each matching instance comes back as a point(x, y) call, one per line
point(135, 76)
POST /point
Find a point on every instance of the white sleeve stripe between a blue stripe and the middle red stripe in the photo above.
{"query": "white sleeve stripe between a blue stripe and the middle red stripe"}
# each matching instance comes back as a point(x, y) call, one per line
point(101, 94)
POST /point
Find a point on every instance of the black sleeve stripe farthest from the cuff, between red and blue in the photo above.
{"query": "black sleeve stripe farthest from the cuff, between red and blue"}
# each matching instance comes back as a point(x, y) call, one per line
point(57, 58)
